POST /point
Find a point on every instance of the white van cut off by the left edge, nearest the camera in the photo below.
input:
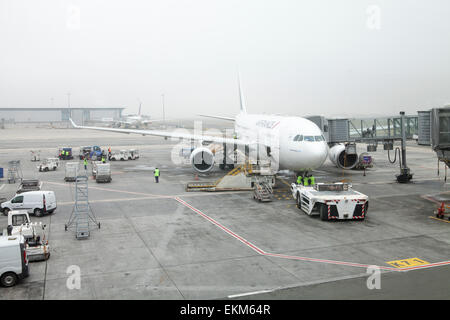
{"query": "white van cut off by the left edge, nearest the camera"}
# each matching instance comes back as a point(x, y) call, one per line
point(13, 260)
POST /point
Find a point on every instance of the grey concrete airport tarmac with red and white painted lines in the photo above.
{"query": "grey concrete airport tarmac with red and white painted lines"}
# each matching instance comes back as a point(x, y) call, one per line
point(158, 241)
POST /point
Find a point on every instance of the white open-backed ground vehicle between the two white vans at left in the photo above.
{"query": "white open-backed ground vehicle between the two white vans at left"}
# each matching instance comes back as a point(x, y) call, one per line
point(36, 244)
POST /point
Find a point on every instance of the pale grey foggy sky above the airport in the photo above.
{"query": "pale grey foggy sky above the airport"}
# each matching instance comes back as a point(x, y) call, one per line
point(295, 57)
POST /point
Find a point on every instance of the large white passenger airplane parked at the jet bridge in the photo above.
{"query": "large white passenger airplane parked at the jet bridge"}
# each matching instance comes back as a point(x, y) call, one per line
point(294, 143)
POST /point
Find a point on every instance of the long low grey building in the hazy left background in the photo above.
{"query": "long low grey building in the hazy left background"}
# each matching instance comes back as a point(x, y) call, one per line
point(55, 115)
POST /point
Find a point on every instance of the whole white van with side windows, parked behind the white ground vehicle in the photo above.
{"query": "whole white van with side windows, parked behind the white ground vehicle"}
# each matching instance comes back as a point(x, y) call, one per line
point(35, 202)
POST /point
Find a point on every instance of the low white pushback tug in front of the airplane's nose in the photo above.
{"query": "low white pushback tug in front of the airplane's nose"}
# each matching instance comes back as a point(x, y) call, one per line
point(331, 201)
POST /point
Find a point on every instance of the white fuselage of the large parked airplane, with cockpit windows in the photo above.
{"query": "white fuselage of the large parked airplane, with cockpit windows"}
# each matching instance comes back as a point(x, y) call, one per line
point(296, 143)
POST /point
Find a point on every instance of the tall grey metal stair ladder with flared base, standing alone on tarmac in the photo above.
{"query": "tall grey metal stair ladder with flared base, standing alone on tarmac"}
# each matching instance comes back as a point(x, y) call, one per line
point(82, 219)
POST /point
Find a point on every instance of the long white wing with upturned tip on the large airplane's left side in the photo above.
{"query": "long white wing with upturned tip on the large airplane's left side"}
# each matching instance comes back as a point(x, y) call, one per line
point(177, 135)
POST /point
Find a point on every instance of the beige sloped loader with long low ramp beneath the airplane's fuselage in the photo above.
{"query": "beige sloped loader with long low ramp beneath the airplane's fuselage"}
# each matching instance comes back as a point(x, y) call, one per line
point(242, 177)
